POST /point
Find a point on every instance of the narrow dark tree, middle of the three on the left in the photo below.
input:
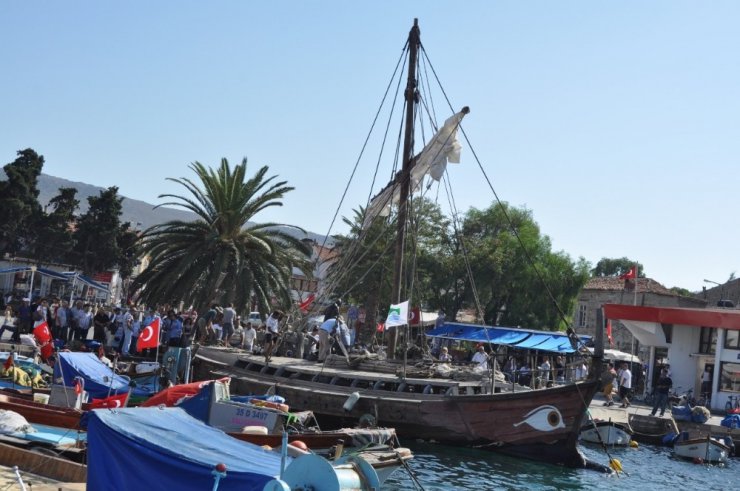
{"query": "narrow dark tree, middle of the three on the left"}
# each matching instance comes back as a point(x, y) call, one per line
point(55, 237)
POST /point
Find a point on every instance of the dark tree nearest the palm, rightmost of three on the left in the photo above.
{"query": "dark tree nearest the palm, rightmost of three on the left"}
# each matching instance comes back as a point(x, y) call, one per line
point(98, 229)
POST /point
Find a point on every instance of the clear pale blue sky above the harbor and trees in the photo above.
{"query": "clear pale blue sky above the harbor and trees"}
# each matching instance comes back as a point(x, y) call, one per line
point(616, 123)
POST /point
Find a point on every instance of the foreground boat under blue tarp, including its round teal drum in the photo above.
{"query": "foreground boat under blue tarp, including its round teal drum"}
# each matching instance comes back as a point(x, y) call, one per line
point(169, 447)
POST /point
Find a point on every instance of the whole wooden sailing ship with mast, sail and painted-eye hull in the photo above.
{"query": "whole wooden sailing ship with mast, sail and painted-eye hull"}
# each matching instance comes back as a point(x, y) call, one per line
point(542, 424)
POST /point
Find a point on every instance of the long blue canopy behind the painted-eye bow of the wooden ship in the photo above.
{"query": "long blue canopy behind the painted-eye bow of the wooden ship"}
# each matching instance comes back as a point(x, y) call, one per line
point(556, 342)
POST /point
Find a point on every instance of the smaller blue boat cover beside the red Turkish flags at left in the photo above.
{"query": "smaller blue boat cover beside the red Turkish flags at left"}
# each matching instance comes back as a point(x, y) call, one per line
point(99, 378)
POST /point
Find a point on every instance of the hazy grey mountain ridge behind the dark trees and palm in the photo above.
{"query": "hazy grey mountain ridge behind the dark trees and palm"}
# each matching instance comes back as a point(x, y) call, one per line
point(141, 214)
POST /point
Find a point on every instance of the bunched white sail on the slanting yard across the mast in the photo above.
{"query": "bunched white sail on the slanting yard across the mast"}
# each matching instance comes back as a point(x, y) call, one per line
point(442, 149)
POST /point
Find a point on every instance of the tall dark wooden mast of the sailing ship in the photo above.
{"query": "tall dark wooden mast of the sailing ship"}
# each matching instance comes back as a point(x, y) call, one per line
point(405, 181)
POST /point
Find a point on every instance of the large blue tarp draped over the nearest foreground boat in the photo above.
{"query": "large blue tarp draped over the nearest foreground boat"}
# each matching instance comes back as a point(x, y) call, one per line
point(164, 448)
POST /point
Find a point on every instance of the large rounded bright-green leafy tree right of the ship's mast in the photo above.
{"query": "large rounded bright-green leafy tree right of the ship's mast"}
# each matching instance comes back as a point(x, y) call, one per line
point(519, 283)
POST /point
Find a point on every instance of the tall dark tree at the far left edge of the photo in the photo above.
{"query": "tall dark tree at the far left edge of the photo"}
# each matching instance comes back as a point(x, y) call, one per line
point(20, 211)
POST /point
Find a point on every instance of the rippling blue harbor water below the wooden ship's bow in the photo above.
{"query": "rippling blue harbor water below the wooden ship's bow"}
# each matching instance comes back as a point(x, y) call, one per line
point(439, 467)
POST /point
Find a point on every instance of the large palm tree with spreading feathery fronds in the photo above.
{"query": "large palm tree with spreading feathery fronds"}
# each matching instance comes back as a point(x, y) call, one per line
point(221, 257)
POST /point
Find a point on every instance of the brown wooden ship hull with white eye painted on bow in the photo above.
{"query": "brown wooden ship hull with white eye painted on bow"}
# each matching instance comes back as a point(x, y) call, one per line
point(540, 424)
